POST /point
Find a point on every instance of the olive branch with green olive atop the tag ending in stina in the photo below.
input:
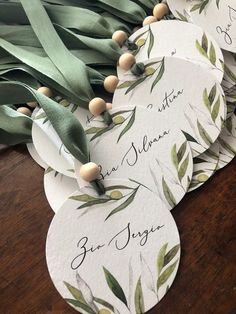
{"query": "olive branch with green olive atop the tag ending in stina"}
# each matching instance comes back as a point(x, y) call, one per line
point(148, 73)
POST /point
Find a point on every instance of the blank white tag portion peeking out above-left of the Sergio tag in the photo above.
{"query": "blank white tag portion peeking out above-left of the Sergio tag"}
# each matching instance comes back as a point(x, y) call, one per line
point(58, 188)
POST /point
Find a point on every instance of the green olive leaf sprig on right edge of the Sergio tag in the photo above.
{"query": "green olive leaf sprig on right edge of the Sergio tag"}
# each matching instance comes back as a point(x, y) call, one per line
point(164, 270)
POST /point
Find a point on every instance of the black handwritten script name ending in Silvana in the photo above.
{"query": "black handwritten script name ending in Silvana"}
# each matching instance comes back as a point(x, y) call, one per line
point(132, 156)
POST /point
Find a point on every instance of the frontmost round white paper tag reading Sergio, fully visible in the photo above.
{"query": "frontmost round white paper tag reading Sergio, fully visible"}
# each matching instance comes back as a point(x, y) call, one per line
point(126, 262)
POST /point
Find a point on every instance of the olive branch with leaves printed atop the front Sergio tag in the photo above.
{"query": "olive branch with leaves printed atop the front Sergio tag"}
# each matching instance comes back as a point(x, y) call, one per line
point(114, 194)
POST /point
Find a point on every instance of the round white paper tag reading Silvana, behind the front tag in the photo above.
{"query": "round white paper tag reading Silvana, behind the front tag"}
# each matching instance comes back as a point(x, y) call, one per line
point(141, 147)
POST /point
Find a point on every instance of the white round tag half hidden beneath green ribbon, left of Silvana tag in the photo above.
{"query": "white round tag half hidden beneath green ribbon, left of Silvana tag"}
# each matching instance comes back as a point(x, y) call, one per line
point(48, 144)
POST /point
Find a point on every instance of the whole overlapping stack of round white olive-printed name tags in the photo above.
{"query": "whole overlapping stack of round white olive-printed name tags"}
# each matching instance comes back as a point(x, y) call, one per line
point(173, 127)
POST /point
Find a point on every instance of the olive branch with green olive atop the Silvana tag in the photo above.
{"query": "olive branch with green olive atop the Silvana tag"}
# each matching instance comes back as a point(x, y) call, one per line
point(119, 118)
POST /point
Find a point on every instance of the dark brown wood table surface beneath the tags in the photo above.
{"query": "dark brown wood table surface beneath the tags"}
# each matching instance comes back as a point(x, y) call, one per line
point(206, 280)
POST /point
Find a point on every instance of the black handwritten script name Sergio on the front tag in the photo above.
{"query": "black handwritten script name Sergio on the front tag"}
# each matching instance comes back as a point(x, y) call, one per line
point(119, 242)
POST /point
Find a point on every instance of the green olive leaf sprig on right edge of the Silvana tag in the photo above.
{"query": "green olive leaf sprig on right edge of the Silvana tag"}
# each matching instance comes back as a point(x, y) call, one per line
point(181, 164)
